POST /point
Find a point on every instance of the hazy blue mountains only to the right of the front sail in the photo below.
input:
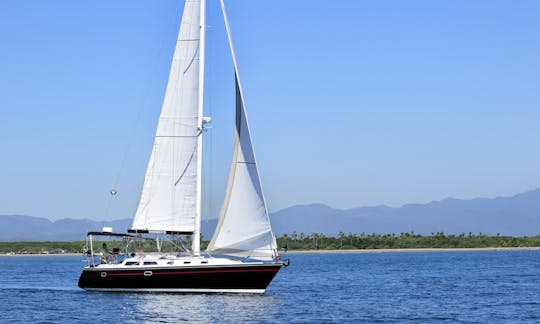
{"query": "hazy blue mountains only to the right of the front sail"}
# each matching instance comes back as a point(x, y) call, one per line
point(518, 215)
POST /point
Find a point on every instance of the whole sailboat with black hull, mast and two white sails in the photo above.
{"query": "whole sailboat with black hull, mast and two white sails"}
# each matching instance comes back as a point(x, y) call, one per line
point(242, 256)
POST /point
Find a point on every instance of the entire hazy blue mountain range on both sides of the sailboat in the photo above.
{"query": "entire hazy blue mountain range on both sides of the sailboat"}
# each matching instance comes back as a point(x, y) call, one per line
point(518, 215)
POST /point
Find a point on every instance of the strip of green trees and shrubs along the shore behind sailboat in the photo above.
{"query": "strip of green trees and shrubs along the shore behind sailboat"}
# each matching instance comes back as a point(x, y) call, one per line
point(314, 241)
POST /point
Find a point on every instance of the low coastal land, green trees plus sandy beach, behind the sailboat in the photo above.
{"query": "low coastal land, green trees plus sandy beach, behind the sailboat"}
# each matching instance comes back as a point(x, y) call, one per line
point(310, 243)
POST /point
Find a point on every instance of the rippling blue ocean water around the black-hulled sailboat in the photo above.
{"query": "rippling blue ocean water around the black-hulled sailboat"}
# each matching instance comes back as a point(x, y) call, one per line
point(420, 287)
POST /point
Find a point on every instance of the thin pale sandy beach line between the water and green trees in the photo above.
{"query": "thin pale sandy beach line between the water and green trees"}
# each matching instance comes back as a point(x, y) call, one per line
point(414, 250)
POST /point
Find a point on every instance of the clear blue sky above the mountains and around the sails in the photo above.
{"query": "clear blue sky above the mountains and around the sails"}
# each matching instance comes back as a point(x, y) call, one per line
point(351, 102)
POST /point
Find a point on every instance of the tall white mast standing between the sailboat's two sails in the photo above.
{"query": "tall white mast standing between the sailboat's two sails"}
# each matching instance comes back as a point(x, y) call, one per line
point(196, 241)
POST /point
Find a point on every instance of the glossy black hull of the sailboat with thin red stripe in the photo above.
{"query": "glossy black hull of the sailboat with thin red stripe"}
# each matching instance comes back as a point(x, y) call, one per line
point(249, 278)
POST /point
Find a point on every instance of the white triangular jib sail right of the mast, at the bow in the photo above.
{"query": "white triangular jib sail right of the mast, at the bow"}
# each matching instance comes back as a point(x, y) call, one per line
point(244, 227)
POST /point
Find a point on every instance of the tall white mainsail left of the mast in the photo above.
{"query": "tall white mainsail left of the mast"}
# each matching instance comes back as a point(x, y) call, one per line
point(168, 197)
